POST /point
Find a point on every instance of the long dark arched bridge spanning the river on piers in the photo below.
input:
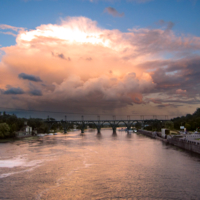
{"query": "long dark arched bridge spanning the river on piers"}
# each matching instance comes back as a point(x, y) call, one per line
point(98, 124)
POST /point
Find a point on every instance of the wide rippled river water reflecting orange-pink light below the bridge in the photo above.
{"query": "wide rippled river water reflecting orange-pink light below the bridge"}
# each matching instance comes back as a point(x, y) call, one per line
point(75, 166)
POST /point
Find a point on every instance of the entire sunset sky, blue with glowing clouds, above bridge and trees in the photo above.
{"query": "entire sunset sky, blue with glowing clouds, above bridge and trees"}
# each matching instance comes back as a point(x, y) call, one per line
point(99, 57)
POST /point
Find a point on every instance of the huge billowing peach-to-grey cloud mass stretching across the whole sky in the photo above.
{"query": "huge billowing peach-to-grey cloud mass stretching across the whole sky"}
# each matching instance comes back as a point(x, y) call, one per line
point(86, 68)
